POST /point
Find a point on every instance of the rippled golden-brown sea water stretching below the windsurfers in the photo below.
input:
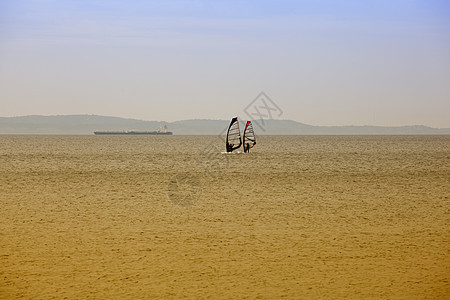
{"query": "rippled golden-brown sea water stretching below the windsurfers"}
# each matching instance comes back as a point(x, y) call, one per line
point(173, 217)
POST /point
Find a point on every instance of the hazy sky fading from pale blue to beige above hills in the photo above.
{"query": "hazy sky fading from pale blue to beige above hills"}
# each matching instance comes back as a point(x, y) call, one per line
point(321, 62)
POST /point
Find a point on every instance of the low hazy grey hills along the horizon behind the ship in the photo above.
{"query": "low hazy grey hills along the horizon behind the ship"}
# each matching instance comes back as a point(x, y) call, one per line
point(87, 124)
